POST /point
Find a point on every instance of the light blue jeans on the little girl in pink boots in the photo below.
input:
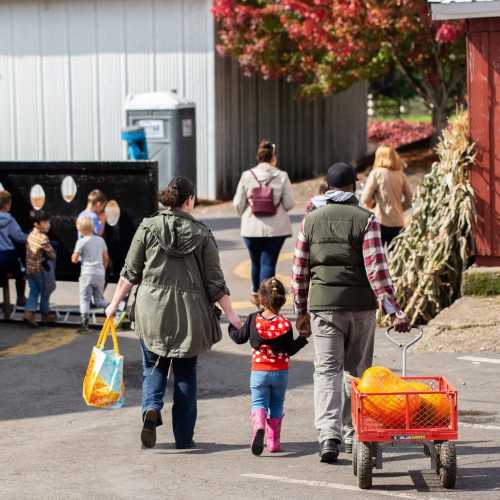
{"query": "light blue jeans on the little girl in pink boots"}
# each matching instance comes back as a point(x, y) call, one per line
point(268, 391)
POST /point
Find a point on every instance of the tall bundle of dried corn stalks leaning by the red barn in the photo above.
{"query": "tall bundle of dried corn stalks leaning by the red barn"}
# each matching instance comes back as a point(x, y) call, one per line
point(429, 256)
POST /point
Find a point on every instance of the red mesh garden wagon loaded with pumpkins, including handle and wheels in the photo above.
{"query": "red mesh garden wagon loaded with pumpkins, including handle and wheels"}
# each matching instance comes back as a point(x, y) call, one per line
point(427, 418)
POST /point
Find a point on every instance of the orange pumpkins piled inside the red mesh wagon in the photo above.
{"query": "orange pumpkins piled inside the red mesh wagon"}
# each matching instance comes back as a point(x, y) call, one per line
point(425, 410)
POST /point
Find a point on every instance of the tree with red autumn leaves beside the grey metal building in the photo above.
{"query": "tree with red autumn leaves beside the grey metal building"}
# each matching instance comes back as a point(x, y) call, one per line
point(327, 45)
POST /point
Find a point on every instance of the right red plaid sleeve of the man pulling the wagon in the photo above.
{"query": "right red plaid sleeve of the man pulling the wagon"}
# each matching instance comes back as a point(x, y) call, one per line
point(377, 269)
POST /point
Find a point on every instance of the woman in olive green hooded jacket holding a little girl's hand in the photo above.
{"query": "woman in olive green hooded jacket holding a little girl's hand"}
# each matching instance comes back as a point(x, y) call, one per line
point(174, 260)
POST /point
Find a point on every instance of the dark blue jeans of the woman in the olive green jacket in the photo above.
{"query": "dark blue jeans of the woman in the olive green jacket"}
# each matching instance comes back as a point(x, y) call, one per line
point(154, 385)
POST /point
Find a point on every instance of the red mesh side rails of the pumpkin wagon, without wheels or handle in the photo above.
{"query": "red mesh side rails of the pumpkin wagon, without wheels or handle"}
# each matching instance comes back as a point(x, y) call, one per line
point(416, 415)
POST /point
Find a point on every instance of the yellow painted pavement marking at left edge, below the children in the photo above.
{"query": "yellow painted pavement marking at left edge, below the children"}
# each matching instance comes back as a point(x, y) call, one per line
point(41, 341)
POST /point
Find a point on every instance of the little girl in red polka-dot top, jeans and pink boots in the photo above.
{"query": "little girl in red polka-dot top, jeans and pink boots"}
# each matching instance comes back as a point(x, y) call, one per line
point(271, 337)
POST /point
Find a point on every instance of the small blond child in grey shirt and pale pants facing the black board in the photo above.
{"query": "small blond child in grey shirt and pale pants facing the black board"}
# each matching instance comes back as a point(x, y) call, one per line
point(92, 252)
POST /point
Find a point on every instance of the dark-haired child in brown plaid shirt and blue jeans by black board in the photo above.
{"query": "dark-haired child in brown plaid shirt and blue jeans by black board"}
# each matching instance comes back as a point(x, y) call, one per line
point(38, 248)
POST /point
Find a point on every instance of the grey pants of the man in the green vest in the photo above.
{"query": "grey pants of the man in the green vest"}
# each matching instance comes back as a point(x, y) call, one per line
point(343, 348)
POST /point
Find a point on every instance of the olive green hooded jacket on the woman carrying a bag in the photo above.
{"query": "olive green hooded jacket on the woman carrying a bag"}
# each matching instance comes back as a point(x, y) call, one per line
point(175, 261)
